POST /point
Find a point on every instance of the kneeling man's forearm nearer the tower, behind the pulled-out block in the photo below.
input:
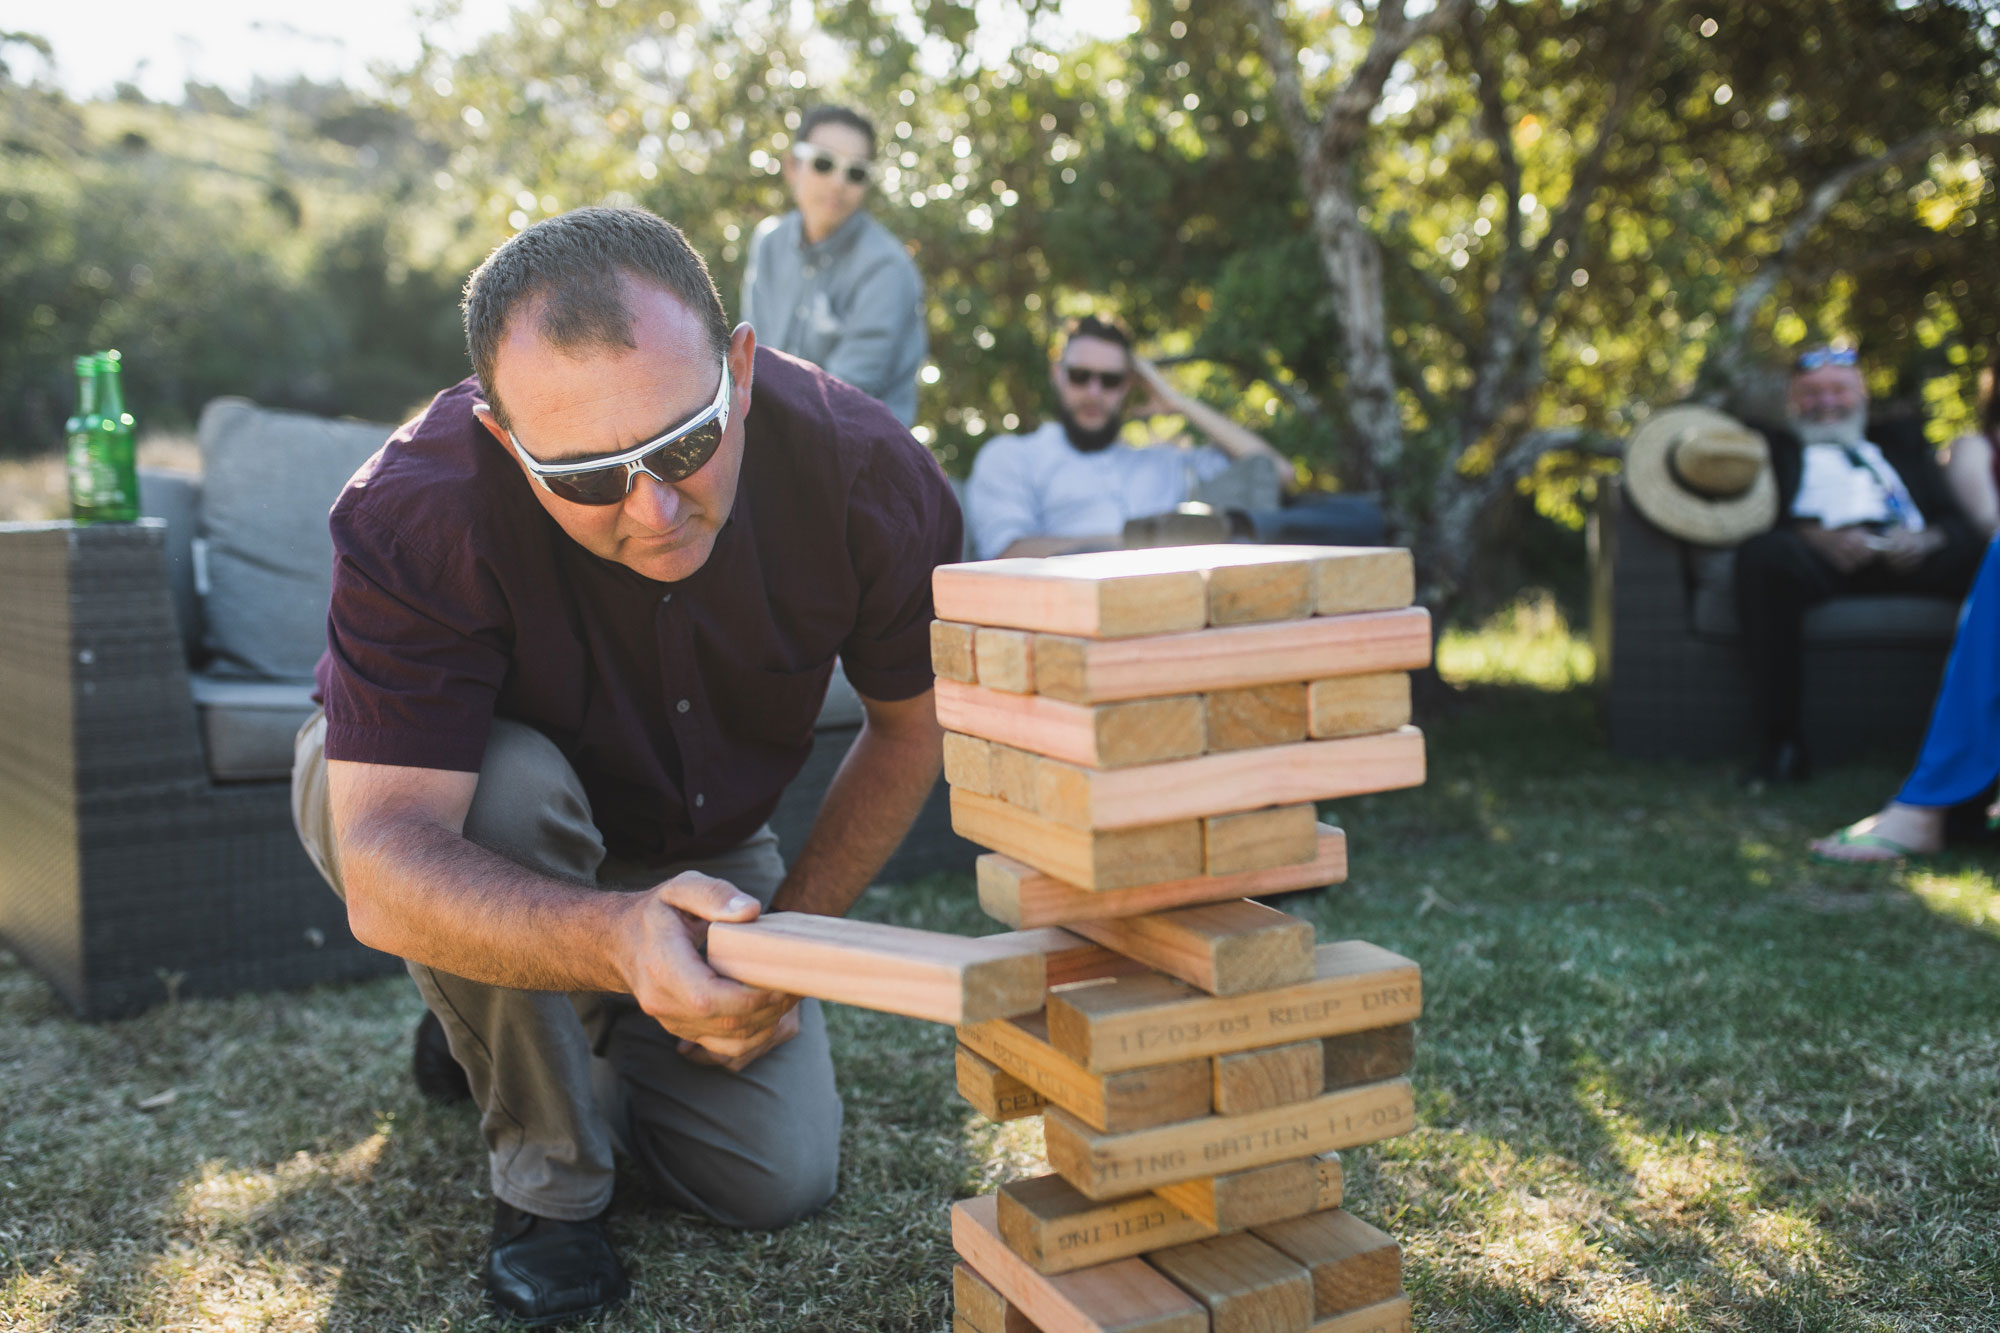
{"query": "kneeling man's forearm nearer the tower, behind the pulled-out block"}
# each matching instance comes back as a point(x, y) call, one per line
point(867, 812)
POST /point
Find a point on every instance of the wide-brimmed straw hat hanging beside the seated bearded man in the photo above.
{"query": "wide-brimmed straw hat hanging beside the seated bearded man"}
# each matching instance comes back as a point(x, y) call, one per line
point(1701, 475)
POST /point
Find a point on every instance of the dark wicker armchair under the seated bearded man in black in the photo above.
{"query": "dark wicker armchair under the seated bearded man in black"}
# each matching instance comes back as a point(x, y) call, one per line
point(1671, 678)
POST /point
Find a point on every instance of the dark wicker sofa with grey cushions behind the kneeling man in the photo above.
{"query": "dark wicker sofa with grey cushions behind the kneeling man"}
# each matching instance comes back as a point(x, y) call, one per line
point(151, 682)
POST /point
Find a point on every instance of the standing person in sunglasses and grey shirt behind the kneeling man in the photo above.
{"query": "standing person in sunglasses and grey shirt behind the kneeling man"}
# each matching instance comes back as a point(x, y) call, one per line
point(827, 281)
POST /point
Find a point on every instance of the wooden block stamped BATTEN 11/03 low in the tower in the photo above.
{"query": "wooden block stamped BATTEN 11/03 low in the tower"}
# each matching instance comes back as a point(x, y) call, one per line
point(1111, 1166)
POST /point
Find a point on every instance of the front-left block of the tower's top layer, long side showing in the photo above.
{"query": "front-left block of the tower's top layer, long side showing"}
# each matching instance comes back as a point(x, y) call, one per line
point(1103, 595)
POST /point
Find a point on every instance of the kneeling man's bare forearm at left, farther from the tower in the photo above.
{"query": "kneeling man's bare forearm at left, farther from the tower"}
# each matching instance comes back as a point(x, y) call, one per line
point(425, 894)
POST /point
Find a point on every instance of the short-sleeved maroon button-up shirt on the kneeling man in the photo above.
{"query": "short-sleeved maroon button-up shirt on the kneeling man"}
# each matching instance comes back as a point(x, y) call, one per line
point(685, 708)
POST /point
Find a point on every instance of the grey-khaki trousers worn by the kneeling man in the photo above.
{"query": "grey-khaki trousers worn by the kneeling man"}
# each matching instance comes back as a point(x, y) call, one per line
point(561, 1080)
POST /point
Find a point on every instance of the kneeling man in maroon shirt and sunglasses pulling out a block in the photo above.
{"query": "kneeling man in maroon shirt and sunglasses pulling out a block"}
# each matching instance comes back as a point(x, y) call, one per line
point(585, 615)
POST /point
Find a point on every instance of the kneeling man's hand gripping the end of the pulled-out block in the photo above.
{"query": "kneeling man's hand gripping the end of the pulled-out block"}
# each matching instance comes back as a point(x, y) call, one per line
point(717, 1020)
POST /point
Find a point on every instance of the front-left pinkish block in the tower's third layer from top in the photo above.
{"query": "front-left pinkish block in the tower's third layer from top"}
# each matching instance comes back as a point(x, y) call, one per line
point(1095, 736)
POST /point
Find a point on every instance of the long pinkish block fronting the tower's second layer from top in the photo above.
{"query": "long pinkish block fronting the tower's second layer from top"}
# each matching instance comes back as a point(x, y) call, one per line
point(1225, 659)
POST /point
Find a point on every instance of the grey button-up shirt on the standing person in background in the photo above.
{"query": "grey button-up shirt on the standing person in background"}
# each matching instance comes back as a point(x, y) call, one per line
point(853, 305)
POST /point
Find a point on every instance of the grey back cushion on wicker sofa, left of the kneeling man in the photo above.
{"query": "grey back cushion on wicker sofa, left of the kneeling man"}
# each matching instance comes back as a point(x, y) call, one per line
point(267, 485)
